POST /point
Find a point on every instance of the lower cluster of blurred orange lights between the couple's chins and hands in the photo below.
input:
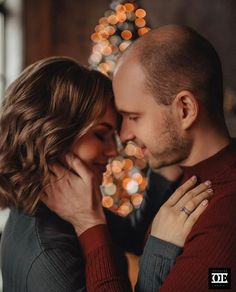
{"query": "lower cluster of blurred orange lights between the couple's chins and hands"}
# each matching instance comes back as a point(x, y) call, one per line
point(124, 181)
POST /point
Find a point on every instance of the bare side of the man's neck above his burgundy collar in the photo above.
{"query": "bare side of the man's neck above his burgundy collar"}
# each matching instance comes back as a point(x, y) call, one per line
point(205, 144)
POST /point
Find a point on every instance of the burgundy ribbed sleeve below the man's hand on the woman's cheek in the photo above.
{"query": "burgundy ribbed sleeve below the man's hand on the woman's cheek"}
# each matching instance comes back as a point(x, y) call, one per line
point(104, 263)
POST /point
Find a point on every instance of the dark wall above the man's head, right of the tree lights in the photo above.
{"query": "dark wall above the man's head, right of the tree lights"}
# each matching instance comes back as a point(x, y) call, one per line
point(215, 19)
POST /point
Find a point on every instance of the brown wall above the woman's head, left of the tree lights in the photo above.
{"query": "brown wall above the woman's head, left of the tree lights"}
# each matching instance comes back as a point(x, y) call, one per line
point(60, 27)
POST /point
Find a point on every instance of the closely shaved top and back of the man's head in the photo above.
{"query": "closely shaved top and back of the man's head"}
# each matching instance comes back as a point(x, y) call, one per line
point(176, 58)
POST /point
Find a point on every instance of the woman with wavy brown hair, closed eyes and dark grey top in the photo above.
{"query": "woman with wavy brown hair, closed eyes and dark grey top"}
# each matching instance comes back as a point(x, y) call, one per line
point(55, 105)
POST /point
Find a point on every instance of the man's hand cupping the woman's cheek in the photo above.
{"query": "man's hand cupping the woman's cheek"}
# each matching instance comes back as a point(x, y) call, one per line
point(74, 195)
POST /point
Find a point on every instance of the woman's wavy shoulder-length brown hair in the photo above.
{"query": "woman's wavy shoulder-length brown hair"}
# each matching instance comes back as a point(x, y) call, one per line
point(52, 103)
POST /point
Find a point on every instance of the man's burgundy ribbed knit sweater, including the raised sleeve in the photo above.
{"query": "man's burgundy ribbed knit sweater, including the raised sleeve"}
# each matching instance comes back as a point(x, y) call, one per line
point(211, 243)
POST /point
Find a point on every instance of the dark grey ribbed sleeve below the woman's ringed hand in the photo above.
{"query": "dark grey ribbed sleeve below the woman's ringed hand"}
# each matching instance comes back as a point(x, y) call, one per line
point(158, 258)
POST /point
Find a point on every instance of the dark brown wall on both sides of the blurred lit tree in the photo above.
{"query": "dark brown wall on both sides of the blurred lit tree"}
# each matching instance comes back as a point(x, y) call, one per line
point(63, 27)
